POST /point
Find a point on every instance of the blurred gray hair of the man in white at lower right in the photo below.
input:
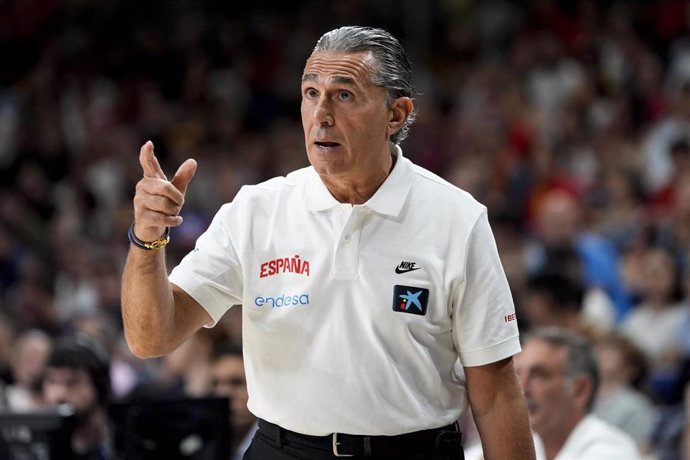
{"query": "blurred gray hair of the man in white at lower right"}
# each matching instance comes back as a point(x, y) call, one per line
point(580, 358)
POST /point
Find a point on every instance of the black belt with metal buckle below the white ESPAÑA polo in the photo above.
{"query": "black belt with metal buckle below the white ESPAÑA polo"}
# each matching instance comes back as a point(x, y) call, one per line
point(446, 439)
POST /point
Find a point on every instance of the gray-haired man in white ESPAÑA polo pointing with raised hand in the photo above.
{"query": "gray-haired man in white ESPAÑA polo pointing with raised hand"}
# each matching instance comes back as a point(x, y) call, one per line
point(367, 283)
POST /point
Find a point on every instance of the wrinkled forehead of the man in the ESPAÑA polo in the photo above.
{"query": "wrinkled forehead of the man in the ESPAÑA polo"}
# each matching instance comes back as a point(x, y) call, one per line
point(332, 67)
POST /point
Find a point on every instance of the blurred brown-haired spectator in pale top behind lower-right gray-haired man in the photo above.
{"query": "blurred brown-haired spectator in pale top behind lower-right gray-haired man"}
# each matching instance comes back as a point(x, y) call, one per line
point(620, 399)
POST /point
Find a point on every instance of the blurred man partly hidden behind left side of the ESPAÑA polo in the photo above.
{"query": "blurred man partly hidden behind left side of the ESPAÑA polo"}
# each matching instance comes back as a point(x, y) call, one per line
point(228, 379)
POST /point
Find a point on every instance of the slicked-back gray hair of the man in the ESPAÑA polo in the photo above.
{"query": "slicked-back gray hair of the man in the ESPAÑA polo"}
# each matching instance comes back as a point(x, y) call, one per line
point(393, 69)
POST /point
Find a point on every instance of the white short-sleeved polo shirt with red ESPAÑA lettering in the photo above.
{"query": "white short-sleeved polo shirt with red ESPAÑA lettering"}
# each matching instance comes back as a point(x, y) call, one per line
point(356, 319)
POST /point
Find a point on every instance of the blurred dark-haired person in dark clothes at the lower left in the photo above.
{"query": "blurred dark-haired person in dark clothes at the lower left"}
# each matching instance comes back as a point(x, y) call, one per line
point(77, 373)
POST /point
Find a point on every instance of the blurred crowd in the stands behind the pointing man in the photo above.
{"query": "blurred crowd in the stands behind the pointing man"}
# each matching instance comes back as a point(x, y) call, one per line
point(569, 120)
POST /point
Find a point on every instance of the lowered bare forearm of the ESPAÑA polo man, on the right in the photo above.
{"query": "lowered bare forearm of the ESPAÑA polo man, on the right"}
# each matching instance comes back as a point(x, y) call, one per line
point(500, 411)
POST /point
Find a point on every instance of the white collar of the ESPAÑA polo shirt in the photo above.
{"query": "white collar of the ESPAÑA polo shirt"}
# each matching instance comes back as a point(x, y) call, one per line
point(388, 199)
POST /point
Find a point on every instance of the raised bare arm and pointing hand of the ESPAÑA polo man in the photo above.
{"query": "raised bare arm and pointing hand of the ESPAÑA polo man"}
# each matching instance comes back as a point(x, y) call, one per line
point(158, 316)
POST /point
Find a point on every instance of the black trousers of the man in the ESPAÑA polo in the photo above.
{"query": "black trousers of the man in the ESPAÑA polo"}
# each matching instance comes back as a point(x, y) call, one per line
point(270, 446)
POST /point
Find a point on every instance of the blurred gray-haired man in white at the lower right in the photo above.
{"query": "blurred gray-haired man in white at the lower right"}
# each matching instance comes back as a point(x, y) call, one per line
point(558, 371)
